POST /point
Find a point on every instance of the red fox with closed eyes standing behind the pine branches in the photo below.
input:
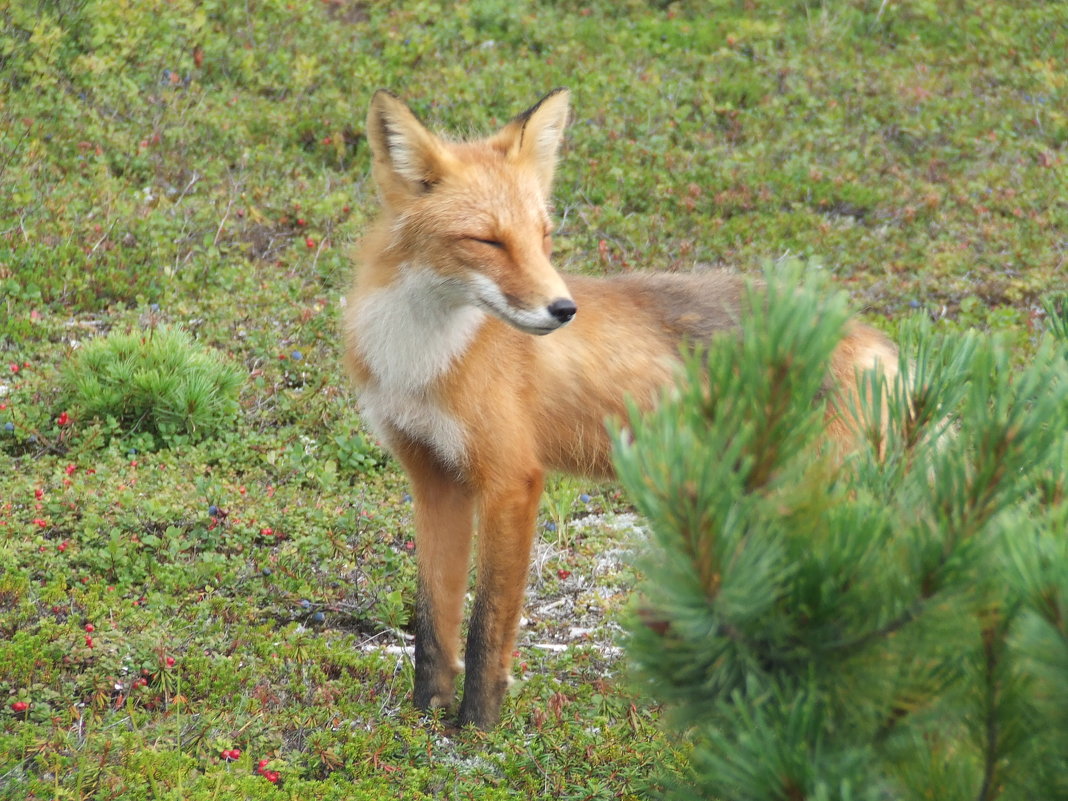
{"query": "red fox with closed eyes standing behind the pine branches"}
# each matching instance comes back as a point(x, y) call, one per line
point(481, 368)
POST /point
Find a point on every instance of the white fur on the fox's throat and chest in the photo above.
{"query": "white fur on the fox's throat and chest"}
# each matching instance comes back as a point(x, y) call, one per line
point(411, 334)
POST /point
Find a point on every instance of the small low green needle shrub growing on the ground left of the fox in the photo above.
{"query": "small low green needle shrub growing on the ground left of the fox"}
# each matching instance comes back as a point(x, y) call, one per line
point(160, 384)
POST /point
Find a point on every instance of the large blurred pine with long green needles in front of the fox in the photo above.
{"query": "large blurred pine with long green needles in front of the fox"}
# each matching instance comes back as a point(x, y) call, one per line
point(894, 626)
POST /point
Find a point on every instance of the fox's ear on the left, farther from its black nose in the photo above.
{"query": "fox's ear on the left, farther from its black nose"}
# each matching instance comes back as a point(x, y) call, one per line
point(407, 159)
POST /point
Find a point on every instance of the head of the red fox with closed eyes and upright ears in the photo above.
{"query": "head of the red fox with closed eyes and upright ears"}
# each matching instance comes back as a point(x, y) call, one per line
point(476, 213)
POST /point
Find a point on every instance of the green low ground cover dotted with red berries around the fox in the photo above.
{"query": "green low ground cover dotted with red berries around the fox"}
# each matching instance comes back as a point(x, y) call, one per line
point(205, 165)
